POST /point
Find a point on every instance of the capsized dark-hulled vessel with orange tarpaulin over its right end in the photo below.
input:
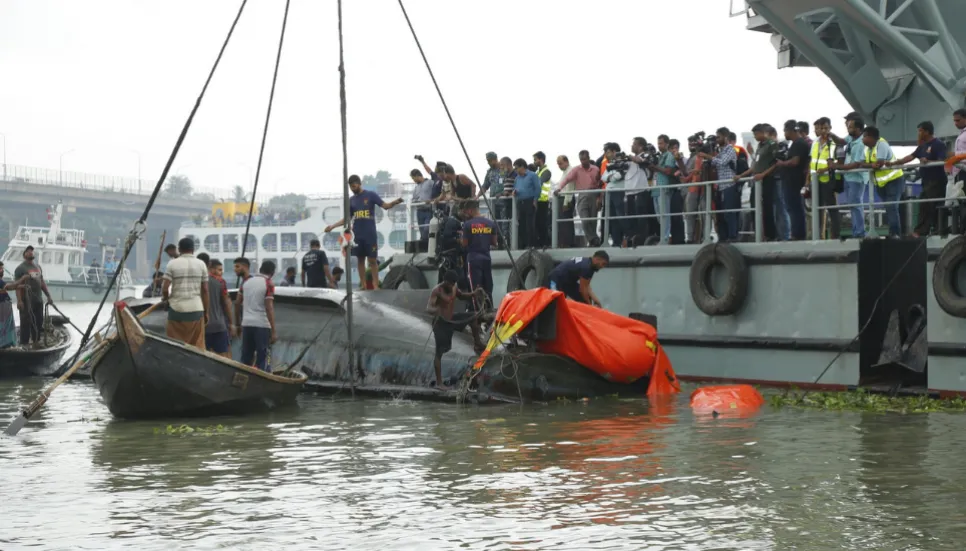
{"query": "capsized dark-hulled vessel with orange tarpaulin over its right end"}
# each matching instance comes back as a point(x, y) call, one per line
point(393, 348)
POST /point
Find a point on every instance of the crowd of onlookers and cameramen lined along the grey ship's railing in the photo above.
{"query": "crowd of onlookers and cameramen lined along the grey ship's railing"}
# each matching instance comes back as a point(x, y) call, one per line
point(654, 182)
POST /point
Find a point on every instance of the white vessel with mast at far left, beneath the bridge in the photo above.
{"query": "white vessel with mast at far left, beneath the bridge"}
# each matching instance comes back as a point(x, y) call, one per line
point(60, 254)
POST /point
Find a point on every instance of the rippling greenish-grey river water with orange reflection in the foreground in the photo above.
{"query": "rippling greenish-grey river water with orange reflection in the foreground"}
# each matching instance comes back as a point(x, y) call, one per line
point(608, 474)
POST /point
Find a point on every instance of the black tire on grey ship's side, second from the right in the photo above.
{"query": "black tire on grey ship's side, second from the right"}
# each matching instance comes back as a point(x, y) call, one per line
point(729, 257)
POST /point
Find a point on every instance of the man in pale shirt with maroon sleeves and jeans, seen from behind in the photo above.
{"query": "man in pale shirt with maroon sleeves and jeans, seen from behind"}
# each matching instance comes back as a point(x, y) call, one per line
point(256, 299)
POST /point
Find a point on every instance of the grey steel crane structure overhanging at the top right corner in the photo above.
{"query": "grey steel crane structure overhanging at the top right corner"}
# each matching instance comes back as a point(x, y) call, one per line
point(896, 62)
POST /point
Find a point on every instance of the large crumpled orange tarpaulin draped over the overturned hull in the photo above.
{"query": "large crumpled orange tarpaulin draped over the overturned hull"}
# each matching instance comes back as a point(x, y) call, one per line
point(617, 348)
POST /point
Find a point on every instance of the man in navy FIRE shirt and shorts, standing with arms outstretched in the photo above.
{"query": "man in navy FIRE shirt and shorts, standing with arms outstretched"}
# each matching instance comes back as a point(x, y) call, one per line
point(362, 206)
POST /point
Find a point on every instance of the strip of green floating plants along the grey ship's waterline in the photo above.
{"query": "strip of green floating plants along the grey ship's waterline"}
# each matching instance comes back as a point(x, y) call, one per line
point(860, 400)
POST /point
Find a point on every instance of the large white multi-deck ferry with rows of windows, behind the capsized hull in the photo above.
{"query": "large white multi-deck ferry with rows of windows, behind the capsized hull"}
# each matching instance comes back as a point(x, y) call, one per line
point(284, 235)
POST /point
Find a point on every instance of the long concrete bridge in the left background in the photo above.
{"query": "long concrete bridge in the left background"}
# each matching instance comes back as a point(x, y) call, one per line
point(104, 206)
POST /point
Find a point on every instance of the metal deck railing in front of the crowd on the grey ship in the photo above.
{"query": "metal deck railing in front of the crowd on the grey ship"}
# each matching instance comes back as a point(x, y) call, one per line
point(873, 208)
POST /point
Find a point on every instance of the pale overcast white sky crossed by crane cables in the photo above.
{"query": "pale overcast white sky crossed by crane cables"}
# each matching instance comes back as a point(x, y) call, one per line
point(110, 77)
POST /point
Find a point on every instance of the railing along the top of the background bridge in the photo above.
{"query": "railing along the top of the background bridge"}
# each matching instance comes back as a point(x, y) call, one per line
point(18, 174)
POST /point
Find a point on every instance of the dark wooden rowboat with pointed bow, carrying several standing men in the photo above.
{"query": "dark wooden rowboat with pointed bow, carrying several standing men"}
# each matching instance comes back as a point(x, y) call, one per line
point(144, 375)
